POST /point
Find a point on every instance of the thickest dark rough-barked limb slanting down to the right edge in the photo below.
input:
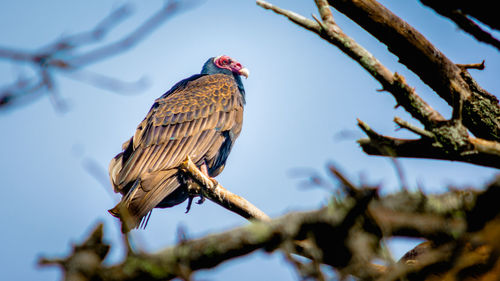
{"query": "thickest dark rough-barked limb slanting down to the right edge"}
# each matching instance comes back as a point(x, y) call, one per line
point(450, 82)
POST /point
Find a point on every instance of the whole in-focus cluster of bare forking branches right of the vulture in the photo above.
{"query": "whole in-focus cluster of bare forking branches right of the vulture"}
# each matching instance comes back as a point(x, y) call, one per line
point(441, 139)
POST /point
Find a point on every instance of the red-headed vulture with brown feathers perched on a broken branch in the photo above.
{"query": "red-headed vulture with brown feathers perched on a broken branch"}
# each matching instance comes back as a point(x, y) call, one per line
point(200, 117)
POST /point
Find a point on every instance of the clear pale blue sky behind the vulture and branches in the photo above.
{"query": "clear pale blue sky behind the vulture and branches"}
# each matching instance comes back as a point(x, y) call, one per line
point(302, 92)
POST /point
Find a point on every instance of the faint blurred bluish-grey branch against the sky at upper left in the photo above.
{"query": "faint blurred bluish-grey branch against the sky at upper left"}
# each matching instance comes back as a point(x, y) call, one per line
point(64, 56)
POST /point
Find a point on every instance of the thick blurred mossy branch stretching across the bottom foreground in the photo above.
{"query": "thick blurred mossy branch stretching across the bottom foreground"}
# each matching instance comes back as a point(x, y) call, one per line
point(345, 235)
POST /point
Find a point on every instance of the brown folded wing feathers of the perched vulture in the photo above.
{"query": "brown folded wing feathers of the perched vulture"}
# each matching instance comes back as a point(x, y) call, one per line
point(189, 121)
